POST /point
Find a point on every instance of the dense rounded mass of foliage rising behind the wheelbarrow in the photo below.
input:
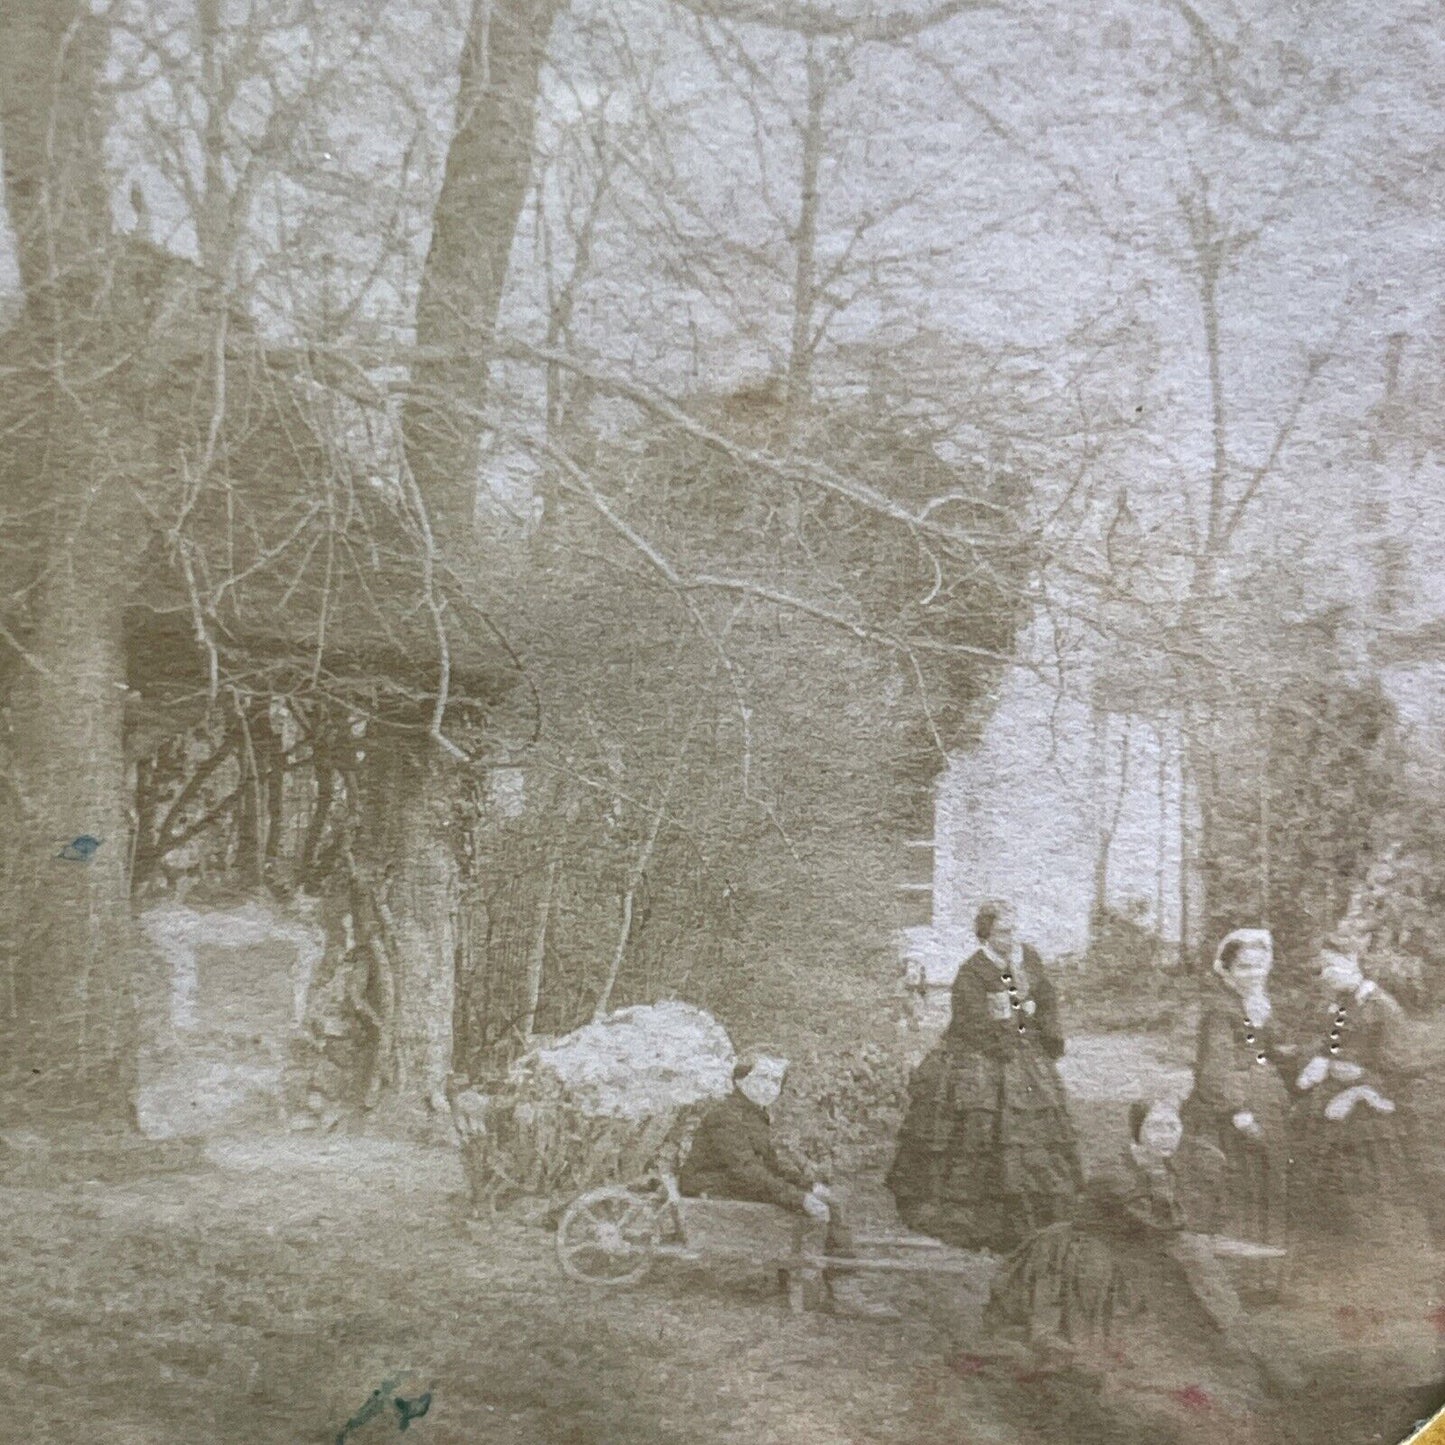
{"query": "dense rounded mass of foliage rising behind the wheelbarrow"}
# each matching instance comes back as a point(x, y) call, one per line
point(723, 780)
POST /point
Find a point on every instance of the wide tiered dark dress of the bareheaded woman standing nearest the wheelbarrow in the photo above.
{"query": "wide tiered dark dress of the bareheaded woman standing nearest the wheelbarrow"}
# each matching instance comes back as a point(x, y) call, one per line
point(988, 1152)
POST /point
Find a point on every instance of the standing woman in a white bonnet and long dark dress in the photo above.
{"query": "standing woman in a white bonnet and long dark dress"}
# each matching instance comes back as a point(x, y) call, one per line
point(1236, 1149)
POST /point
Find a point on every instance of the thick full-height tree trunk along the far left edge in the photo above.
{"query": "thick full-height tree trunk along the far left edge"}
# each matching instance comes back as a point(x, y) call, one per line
point(72, 1030)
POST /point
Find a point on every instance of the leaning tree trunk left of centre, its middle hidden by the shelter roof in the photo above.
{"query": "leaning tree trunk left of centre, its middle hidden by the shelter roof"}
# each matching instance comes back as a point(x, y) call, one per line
point(489, 167)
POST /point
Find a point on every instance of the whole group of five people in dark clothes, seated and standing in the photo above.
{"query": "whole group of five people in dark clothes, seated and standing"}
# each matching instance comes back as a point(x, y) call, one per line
point(1287, 1152)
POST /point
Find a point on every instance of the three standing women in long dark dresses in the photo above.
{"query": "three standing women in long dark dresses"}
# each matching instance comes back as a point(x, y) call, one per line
point(988, 1152)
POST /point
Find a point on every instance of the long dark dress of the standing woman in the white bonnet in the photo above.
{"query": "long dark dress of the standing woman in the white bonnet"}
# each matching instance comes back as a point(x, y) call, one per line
point(1233, 1184)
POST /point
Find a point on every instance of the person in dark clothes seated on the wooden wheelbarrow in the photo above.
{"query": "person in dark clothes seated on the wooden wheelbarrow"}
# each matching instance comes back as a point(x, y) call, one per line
point(733, 1158)
